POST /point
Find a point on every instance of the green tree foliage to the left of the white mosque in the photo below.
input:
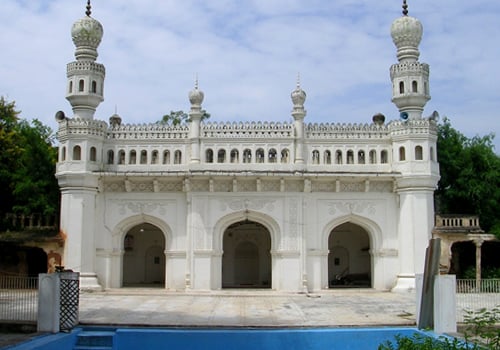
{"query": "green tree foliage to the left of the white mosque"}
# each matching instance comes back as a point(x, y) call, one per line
point(27, 165)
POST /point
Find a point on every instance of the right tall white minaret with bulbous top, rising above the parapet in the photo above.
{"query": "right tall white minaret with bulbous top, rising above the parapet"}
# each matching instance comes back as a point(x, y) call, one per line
point(410, 78)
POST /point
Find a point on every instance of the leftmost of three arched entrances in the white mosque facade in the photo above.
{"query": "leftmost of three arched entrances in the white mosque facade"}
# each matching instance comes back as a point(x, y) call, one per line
point(144, 257)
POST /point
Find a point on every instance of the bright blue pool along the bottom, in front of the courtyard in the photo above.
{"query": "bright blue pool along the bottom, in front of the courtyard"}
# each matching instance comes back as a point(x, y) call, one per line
point(219, 338)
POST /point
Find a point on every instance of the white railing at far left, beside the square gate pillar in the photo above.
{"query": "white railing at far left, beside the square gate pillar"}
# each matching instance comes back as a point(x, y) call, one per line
point(18, 299)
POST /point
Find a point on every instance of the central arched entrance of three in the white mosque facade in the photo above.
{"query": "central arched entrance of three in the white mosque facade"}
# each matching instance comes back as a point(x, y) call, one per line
point(246, 261)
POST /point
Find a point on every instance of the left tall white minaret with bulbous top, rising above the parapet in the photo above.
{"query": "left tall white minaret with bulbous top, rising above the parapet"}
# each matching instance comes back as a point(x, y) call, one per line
point(85, 76)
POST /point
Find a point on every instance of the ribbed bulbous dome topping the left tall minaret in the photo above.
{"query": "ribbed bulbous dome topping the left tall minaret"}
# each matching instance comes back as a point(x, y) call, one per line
point(87, 35)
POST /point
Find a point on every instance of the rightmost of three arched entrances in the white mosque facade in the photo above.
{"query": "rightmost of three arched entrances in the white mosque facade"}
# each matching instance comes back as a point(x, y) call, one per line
point(349, 262)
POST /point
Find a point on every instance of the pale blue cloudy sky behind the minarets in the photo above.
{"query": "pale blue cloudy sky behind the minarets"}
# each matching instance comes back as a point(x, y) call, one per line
point(247, 55)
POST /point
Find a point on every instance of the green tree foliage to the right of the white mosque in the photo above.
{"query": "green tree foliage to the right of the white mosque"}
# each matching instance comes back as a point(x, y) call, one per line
point(470, 176)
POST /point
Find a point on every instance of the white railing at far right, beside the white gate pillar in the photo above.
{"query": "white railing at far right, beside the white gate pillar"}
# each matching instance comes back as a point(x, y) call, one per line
point(473, 297)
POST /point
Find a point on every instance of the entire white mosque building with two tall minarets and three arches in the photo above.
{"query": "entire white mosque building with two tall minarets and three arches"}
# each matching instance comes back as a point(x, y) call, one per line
point(295, 207)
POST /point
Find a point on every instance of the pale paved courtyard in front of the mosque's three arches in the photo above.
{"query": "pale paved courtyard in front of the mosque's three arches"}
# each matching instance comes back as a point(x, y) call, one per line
point(246, 308)
